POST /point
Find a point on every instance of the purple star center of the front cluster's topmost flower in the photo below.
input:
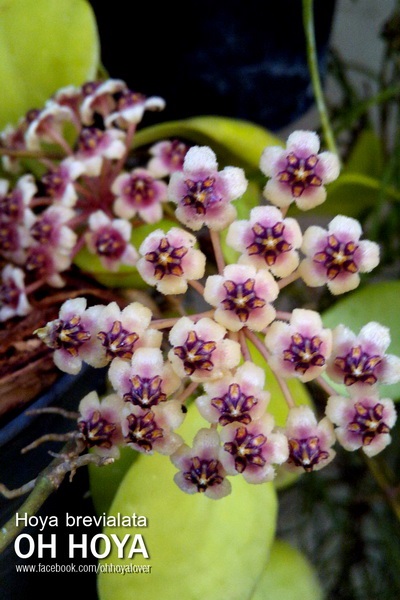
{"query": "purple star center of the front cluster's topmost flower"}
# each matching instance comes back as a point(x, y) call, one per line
point(299, 173)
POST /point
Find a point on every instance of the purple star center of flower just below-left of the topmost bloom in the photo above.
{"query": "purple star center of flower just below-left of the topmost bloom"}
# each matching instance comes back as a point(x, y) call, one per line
point(268, 242)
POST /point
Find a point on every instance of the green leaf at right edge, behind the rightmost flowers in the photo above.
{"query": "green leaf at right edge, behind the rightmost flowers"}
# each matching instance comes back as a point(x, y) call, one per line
point(375, 302)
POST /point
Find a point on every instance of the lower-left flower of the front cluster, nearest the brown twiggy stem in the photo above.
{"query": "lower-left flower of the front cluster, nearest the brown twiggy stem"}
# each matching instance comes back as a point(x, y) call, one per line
point(99, 423)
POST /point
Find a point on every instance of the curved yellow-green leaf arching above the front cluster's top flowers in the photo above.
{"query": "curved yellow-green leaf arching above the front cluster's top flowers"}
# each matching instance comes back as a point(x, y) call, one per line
point(236, 142)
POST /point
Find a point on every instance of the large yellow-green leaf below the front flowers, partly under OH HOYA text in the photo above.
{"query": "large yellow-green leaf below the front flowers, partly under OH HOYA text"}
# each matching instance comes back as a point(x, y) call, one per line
point(199, 548)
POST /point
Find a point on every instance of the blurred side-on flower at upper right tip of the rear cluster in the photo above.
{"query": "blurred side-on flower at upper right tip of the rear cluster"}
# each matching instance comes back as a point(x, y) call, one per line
point(131, 107)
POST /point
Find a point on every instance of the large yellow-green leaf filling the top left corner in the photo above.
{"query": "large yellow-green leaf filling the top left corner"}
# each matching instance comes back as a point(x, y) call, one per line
point(44, 45)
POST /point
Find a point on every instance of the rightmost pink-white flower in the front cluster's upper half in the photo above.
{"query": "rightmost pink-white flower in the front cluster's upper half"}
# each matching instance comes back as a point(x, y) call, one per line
point(336, 256)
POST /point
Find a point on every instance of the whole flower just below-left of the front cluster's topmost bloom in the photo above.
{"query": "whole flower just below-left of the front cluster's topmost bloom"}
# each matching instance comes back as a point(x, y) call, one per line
point(267, 240)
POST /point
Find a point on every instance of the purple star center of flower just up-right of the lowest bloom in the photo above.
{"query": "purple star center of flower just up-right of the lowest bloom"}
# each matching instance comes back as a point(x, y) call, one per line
point(246, 449)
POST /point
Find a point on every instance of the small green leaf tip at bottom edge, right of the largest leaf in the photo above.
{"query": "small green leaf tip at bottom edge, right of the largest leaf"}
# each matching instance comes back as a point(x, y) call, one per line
point(289, 575)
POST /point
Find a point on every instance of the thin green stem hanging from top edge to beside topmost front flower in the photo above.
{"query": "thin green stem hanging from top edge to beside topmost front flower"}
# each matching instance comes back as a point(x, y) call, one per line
point(309, 30)
